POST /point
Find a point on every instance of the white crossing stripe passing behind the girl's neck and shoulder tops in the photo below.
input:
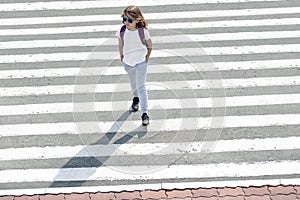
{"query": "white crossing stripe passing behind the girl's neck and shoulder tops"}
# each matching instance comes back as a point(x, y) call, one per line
point(160, 26)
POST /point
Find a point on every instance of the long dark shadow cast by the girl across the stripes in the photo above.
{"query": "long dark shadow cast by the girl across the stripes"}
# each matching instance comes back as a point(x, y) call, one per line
point(61, 179)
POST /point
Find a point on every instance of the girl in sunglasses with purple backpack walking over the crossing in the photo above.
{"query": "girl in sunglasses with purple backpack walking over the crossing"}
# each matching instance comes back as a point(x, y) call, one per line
point(135, 48)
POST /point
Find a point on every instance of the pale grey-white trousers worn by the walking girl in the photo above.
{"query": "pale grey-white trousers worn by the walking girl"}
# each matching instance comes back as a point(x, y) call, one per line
point(137, 77)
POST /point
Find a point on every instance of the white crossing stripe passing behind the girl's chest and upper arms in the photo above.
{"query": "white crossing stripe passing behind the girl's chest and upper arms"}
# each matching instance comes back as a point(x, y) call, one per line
point(155, 39)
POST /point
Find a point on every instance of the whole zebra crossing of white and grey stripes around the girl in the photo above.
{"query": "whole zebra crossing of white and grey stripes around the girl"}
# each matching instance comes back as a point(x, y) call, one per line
point(223, 86)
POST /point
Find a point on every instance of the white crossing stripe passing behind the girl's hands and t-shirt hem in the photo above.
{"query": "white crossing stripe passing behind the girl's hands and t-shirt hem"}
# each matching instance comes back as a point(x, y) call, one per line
point(282, 48)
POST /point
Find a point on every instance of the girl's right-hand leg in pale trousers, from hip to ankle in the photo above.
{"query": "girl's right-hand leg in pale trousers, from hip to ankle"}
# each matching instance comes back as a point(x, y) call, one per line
point(141, 74)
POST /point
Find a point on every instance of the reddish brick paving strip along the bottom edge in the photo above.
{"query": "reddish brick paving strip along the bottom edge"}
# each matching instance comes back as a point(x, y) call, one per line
point(239, 193)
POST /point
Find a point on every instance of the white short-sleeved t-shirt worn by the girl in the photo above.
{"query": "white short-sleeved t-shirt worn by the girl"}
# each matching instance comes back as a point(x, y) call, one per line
point(134, 50)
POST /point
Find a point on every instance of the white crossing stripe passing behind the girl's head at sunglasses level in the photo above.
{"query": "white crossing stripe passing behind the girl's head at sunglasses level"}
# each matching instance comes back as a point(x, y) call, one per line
point(149, 16)
